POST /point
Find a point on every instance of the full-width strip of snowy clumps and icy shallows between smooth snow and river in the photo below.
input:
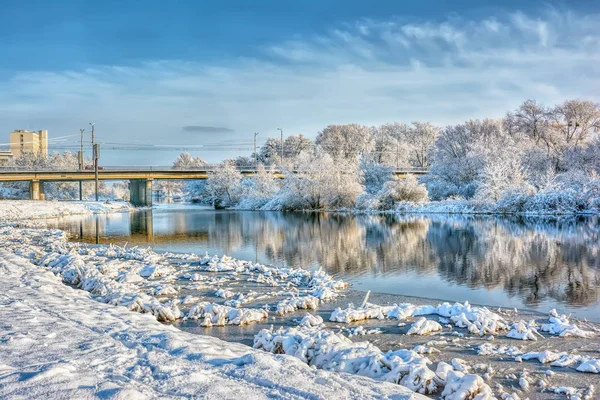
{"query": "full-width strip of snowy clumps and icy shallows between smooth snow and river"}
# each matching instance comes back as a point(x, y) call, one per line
point(221, 291)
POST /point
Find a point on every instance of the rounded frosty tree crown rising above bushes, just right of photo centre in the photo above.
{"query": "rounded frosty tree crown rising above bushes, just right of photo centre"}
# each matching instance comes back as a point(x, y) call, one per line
point(346, 142)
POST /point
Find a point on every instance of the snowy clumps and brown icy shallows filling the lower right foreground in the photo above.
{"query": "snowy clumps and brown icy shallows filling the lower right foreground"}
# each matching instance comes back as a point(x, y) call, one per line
point(474, 352)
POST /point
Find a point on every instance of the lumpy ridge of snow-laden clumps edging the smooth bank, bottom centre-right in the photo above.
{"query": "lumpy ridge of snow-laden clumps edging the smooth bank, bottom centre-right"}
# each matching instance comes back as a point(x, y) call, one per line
point(332, 351)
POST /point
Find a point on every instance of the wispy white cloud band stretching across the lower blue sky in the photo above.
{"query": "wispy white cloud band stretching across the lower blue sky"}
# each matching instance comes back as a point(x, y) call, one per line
point(368, 72)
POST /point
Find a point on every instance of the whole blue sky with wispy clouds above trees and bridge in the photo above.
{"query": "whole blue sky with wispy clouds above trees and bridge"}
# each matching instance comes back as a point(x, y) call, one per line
point(211, 73)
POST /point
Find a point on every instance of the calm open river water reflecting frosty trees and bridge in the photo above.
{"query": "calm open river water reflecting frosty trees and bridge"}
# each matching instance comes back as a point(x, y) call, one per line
point(535, 263)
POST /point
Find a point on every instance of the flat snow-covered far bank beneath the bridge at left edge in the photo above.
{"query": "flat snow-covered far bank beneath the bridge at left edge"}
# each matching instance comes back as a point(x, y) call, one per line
point(19, 210)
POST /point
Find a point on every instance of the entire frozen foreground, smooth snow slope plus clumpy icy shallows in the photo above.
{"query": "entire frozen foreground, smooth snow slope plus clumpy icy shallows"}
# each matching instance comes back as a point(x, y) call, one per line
point(104, 339)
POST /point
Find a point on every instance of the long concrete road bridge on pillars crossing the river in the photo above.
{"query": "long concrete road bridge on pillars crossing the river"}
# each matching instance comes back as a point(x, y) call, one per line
point(140, 177)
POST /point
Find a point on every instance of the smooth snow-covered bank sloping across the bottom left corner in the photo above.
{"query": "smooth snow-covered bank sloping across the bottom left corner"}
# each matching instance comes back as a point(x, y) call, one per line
point(57, 342)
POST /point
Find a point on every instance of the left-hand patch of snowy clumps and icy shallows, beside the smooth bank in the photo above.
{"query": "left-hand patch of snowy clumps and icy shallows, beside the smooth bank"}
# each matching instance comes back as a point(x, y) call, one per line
point(147, 282)
